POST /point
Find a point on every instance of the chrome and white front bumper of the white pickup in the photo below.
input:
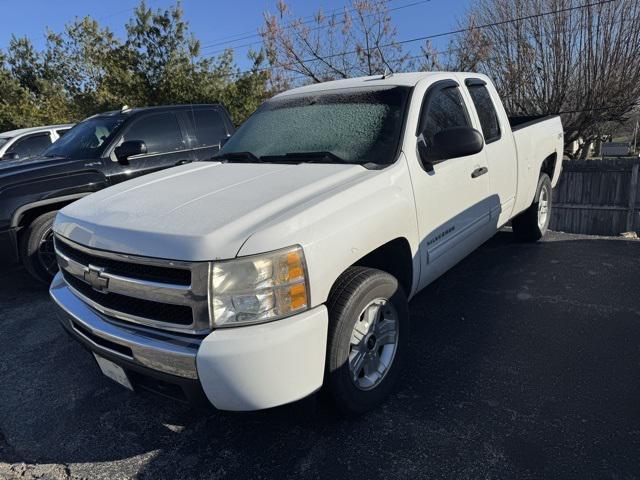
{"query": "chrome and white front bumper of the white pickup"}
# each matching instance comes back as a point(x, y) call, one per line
point(243, 368)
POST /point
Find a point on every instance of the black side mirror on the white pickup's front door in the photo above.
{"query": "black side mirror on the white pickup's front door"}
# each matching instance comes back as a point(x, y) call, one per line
point(450, 143)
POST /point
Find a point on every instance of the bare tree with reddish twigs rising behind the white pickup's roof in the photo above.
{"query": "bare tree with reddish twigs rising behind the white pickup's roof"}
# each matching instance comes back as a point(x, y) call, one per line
point(359, 40)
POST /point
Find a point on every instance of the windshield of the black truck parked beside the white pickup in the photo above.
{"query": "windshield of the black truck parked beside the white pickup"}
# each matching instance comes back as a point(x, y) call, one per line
point(87, 139)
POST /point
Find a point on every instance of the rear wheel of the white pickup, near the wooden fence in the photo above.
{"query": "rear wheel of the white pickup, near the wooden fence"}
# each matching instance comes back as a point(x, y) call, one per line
point(532, 224)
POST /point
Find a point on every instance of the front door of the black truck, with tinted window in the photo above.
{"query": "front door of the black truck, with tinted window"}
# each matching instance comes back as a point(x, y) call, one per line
point(166, 146)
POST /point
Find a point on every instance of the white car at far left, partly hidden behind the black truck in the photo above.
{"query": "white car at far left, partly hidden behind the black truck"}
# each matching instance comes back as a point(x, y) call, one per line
point(29, 142)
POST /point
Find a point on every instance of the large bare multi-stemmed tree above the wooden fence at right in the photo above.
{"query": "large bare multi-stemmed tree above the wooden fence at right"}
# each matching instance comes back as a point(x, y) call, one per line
point(580, 57)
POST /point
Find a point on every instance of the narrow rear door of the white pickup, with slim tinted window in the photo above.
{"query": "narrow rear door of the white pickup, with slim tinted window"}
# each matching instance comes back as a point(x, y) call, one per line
point(499, 145)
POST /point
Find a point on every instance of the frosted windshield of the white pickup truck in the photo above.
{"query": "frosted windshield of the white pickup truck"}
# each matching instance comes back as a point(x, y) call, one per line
point(355, 126)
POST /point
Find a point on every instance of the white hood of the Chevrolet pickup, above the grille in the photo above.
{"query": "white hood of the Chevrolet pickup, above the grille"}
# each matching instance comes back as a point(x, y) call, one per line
point(198, 212)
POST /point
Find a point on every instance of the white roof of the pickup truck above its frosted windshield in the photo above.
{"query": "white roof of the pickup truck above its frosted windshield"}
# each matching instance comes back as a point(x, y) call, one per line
point(396, 79)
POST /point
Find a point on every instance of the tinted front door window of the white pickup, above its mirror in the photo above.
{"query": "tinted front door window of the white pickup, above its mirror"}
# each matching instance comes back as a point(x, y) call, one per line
point(445, 109)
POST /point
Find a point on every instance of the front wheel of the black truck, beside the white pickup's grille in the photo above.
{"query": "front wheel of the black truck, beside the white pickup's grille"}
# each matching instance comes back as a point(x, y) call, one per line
point(36, 248)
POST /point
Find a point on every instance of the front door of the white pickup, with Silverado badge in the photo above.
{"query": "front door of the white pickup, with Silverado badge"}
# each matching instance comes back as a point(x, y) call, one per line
point(452, 197)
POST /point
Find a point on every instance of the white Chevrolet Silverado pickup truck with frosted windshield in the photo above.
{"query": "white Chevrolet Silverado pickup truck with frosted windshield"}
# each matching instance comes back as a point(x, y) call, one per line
point(286, 263)
